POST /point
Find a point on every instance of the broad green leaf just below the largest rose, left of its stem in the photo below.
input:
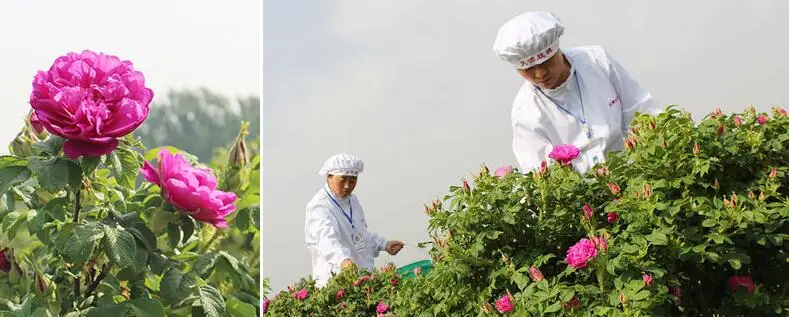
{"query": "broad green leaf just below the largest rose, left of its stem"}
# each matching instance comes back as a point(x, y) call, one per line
point(55, 173)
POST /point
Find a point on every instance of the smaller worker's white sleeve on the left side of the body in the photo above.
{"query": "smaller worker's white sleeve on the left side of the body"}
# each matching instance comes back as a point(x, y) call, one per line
point(325, 229)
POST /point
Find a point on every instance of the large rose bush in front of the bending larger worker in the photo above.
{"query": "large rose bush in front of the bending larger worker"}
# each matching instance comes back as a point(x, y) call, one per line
point(691, 219)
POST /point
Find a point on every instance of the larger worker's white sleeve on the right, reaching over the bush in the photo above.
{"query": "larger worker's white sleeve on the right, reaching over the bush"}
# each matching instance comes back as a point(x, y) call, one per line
point(633, 97)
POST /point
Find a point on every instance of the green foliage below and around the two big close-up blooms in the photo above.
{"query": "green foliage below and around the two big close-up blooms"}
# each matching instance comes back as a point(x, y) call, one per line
point(85, 239)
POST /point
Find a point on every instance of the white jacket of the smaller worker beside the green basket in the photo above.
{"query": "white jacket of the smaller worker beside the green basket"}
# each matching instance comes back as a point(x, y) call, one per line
point(328, 235)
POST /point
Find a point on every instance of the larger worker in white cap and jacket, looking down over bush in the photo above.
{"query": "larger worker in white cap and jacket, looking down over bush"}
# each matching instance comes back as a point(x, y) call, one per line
point(579, 96)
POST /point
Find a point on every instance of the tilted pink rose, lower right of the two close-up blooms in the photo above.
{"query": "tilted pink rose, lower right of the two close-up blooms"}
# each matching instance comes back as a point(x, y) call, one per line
point(190, 189)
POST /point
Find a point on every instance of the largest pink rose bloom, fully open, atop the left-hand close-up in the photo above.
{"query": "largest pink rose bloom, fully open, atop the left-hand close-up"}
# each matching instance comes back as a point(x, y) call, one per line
point(90, 100)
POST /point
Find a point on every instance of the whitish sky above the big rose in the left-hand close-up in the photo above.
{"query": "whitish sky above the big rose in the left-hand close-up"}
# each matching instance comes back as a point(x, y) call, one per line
point(175, 43)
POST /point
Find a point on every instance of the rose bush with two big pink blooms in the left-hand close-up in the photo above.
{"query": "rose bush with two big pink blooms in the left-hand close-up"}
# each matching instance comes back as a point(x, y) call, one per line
point(81, 236)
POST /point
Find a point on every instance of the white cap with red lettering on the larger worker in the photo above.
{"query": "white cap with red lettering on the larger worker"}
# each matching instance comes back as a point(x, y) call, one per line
point(529, 39)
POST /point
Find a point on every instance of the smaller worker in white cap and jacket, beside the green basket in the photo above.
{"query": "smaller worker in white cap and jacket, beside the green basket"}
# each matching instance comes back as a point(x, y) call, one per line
point(336, 231)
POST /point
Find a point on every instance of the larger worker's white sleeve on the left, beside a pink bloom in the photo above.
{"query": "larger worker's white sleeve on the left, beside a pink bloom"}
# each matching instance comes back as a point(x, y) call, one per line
point(530, 148)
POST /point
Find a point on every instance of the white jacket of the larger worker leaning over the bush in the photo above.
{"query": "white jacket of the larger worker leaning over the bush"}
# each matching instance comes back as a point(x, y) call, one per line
point(610, 99)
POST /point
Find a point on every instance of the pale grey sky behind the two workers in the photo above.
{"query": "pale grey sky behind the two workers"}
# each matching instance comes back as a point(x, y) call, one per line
point(414, 89)
